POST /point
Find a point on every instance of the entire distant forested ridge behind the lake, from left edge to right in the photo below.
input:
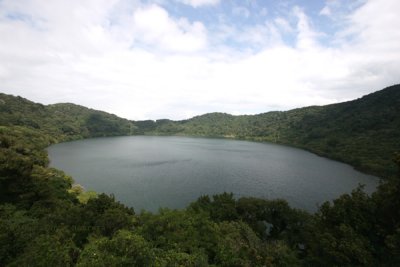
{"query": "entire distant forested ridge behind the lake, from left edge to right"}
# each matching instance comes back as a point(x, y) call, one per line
point(364, 132)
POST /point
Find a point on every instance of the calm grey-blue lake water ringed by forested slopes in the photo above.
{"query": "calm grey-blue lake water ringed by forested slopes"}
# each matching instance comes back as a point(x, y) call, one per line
point(148, 172)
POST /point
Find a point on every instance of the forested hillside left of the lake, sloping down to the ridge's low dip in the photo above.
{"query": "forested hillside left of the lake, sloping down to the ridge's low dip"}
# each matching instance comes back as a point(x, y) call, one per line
point(61, 121)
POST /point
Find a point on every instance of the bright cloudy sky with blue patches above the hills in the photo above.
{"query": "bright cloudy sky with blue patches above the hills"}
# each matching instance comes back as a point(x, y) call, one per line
point(179, 58)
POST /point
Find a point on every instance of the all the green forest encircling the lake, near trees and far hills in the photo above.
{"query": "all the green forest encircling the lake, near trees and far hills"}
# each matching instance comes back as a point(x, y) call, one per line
point(46, 220)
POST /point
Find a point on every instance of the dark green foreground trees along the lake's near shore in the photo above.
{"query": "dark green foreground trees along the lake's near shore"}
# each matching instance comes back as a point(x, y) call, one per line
point(43, 223)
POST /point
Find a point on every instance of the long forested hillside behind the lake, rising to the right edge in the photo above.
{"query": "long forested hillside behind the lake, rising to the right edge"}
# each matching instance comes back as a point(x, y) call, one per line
point(364, 133)
